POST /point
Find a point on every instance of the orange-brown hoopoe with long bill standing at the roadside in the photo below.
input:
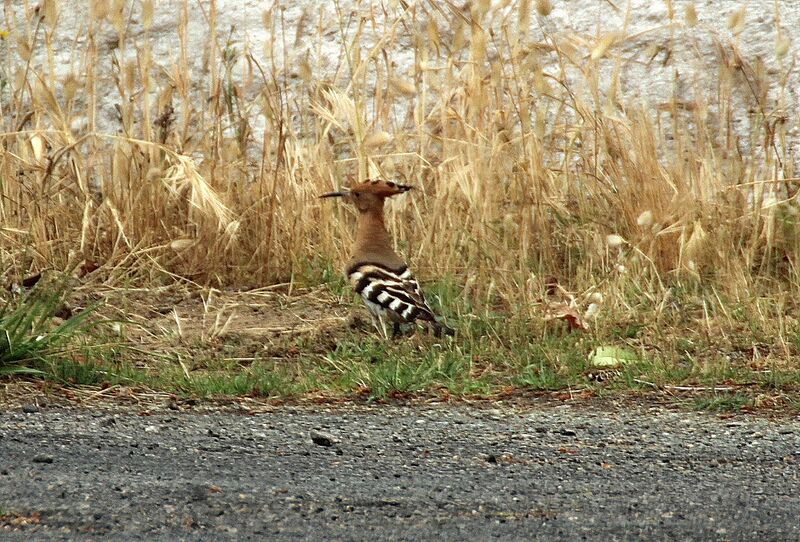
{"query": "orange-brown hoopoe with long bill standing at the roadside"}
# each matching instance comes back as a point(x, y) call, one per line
point(376, 271)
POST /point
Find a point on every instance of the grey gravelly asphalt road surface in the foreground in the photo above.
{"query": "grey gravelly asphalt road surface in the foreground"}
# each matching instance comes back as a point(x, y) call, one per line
point(397, 473)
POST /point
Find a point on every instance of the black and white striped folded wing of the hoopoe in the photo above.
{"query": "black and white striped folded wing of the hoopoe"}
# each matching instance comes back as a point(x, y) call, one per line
point(394, 293)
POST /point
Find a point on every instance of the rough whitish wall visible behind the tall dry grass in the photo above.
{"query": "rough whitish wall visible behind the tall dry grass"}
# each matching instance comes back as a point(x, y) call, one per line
point(240, 22)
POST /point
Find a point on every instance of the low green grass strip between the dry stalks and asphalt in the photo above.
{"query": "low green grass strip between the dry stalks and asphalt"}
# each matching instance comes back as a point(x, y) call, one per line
point(493, 354)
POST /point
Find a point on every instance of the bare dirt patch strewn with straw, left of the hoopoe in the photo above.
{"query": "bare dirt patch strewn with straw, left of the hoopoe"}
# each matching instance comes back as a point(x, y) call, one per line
point(266, 323)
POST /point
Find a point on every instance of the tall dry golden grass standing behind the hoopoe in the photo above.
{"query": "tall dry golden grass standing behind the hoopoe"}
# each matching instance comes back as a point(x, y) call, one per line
point(525, 172)
